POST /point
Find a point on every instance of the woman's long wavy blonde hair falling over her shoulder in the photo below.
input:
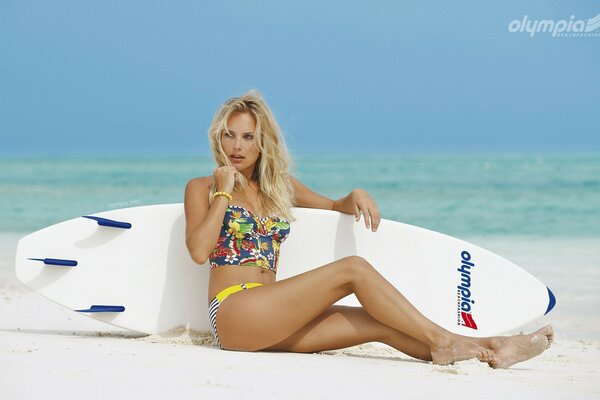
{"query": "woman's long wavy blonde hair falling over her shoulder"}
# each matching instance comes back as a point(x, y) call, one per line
point(271, 171)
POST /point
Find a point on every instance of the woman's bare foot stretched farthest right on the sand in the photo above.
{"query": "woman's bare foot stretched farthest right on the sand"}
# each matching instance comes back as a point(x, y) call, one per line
point(518, 348)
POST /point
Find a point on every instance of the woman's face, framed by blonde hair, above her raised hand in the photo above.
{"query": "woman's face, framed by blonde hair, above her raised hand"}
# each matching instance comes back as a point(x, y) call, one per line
point(239, 142)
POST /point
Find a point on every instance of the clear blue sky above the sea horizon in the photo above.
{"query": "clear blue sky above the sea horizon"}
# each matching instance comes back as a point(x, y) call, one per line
point(146, 77)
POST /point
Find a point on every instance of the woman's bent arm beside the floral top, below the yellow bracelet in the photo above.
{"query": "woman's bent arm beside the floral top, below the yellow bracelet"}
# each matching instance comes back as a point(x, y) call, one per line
point(203, 221)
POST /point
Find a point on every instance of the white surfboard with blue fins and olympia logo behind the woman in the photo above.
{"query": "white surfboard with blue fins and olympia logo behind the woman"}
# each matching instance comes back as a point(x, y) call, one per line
point(130, 268)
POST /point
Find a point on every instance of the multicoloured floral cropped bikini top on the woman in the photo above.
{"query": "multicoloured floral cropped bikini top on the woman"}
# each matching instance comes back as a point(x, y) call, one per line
point(250, 241)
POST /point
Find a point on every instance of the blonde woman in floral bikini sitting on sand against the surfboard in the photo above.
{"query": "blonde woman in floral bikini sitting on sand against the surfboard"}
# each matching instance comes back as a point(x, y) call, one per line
point(237, 219)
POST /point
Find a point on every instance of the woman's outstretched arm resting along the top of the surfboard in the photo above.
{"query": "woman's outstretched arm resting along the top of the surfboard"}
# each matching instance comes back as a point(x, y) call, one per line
point(357, 202)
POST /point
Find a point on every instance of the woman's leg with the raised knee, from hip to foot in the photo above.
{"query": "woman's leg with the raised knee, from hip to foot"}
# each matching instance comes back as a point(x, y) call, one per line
point(264, 316)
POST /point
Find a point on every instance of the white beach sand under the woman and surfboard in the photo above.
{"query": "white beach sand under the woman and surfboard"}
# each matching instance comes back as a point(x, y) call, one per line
point(49, 351)
